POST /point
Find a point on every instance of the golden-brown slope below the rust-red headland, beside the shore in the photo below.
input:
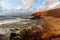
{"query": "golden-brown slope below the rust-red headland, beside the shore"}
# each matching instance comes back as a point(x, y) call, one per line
point(52, 24)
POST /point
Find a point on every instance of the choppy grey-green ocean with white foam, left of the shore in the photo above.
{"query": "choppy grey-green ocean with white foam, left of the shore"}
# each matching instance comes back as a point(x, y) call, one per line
point(12, 22)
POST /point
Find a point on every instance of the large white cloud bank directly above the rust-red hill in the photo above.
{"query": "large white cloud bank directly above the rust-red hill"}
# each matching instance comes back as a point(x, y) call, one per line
point(48, 4)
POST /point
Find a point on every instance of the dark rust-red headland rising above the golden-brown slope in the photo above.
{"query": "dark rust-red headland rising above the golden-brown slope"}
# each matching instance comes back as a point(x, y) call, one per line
point(52, 12)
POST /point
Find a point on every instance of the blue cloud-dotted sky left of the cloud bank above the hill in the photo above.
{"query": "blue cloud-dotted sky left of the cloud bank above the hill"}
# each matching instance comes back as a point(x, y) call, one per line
point(19, 5)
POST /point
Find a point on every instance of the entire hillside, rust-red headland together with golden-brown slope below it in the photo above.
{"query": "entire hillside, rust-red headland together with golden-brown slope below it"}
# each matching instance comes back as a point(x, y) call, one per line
point(51, 18)
